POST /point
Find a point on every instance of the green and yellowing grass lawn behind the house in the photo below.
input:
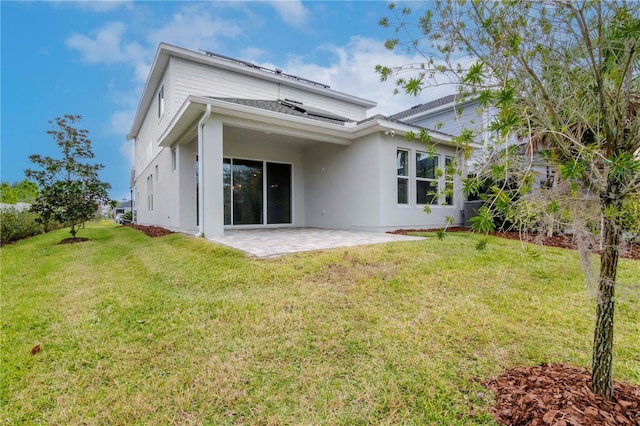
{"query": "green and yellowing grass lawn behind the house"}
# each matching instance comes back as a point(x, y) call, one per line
point(175, 330)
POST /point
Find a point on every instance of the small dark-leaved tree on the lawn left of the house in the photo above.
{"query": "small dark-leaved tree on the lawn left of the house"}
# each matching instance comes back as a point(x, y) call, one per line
point(70, 191)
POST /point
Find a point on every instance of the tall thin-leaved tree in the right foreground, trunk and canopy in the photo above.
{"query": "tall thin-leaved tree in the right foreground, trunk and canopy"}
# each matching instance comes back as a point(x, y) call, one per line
point(563, 75)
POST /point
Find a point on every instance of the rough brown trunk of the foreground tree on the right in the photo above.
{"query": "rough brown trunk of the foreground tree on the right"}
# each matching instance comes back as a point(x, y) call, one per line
point(602, 363)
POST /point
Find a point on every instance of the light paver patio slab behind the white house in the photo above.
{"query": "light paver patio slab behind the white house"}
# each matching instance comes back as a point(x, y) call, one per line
point(280, 241)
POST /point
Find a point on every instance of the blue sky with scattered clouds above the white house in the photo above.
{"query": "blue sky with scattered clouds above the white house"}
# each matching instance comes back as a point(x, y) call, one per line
point(92, 59)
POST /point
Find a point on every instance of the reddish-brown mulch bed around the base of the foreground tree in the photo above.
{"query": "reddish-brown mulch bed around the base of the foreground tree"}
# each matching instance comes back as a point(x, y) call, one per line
point(560, 395)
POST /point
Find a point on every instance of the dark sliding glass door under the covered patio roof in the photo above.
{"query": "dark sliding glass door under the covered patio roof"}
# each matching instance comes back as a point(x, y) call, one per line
point(254, 190)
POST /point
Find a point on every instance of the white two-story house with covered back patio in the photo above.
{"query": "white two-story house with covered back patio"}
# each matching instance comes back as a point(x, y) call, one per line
point(225, 144)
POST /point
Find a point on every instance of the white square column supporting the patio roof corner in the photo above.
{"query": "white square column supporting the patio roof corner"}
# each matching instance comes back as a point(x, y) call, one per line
point(211, 178)
